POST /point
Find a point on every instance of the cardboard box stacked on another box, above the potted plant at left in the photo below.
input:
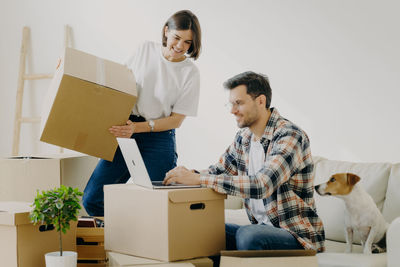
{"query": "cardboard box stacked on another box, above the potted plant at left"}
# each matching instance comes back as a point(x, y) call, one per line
point(20, 177)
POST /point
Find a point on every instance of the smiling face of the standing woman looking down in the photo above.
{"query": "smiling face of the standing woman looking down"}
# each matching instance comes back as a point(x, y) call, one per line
point(178, 43)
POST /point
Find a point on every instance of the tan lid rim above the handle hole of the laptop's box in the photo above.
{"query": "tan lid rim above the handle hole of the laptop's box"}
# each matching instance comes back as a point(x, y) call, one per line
point(193, 194)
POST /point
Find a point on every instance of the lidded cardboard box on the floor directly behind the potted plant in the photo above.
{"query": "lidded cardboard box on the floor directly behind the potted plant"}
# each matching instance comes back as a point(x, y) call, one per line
point(22, 244)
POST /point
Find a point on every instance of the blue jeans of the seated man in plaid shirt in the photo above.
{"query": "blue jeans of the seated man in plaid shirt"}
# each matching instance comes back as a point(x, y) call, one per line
point(259, 237)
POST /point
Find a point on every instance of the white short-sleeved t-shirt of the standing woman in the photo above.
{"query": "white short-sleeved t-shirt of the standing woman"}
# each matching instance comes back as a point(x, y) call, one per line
point(163, 86)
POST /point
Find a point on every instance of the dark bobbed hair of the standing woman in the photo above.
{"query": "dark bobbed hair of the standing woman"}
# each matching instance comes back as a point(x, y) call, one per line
point(185, 20)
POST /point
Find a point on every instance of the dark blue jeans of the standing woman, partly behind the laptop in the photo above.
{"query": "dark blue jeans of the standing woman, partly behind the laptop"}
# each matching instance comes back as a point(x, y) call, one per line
point(158, 150)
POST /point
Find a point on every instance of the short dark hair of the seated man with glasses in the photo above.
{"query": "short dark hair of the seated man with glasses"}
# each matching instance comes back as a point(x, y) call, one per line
point(256, 83)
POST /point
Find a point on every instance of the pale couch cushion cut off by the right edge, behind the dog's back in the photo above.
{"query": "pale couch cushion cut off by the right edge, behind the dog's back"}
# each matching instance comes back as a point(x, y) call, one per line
point(391, 207)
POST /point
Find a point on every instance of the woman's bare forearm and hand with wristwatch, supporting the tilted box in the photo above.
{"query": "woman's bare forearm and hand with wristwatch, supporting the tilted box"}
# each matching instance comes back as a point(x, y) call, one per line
point(172, 122)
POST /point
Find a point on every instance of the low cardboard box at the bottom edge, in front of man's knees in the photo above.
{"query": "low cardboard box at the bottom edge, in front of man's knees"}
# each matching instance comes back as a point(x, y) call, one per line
point(261, 258)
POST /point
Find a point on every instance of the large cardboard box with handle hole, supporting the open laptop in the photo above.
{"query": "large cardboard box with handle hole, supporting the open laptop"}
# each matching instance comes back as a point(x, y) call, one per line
point(165, 224)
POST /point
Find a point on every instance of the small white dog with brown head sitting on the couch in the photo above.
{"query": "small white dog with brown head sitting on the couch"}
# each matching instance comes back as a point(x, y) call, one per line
point(362, 215)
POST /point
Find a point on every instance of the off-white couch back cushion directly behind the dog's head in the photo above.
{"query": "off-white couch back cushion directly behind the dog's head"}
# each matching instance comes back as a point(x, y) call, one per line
point(374, 178)
